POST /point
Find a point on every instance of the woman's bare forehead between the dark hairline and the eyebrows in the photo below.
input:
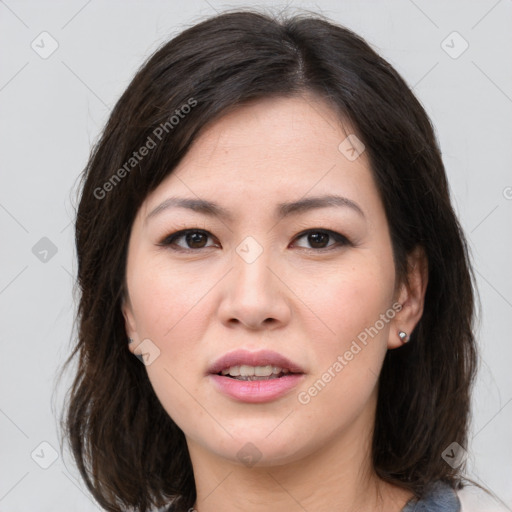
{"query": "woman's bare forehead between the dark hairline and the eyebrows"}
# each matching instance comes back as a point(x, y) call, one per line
point(270, 151)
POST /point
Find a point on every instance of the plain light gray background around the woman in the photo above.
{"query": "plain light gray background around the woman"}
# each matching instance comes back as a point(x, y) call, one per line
point(52, 110)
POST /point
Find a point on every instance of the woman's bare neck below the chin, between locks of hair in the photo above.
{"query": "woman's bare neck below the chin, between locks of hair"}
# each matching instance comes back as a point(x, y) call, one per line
point(337, 476)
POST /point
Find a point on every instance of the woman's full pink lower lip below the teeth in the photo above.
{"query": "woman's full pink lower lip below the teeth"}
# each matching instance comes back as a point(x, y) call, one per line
point(256, 391)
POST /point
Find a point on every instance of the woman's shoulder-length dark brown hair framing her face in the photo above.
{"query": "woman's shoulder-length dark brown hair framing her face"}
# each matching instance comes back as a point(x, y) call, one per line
point(127, 448)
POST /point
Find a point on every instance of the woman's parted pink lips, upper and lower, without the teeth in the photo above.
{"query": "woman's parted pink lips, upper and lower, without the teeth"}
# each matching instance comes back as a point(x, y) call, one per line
point(256, 391)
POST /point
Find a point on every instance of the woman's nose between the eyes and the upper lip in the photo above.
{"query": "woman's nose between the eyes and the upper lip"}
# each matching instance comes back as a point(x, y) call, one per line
point(255, 295)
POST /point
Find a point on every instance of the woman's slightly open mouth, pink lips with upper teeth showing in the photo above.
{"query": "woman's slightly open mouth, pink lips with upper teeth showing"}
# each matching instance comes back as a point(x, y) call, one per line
point(255, 377)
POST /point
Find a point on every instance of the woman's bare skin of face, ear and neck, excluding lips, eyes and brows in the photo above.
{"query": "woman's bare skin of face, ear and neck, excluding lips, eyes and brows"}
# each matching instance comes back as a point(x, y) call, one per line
point(296, 298)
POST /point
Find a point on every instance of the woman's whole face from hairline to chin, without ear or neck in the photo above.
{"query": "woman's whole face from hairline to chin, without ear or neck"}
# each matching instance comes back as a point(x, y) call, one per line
point(312, 283)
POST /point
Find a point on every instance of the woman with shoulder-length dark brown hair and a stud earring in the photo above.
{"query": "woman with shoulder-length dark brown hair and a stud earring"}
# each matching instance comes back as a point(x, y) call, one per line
point(266, 224)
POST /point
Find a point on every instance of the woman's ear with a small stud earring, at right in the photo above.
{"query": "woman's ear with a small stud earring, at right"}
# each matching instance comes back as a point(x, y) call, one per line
point(411, 296)
